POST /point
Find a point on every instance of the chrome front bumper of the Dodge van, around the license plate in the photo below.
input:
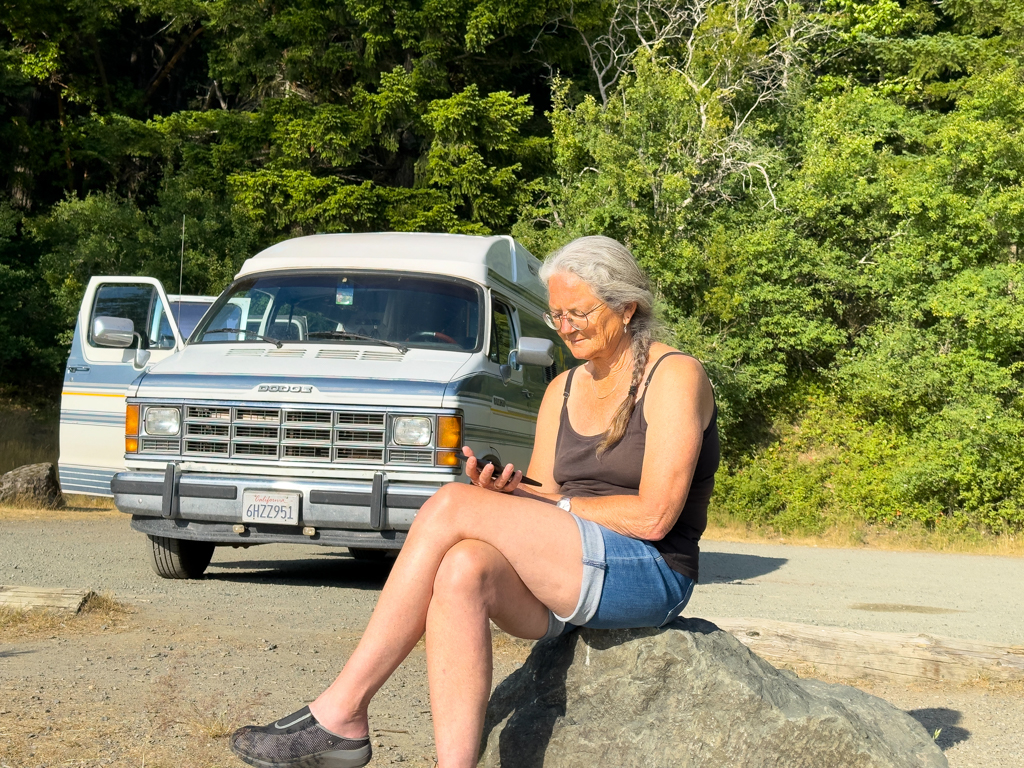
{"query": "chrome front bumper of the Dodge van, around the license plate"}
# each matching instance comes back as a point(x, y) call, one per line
point(376, 507)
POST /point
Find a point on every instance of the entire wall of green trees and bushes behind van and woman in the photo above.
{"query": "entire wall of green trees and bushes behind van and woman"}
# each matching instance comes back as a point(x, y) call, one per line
point(829, 195)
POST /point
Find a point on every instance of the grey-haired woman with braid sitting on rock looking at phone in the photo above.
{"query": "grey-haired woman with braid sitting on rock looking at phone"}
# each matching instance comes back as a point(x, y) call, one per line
point(609, 540)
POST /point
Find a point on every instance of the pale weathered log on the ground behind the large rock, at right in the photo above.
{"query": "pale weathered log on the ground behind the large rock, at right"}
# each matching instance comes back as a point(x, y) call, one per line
point(880, 656)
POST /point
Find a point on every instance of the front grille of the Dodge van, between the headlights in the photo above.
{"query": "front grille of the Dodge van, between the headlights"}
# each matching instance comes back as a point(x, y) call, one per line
point(300, 435)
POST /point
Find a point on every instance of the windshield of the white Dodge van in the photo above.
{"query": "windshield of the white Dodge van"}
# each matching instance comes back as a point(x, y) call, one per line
point(412, 311)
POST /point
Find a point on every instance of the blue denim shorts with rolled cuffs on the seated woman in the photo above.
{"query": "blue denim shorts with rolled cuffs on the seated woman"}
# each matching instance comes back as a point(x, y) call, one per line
point(626, 585)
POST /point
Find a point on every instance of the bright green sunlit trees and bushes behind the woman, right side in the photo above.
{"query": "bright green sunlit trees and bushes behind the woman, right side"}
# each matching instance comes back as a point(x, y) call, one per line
point(858, 304)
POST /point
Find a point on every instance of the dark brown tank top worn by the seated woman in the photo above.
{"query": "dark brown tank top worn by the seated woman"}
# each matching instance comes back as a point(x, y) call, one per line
point(580, 473)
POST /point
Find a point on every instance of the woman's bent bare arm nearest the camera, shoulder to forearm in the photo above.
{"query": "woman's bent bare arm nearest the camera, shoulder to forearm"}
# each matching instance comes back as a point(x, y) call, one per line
point(678, 409)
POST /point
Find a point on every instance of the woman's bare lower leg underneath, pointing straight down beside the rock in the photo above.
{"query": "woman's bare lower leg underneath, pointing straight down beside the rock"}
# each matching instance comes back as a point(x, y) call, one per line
point(475, 584)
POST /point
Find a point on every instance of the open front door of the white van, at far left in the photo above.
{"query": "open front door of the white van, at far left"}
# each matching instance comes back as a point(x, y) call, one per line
point(93, 402)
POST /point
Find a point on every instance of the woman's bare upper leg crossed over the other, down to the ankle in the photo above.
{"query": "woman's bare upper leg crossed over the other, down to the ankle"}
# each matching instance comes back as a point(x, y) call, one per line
point(540, 542)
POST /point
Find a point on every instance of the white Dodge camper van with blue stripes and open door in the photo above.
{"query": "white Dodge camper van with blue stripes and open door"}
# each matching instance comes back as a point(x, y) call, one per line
point(322, 399)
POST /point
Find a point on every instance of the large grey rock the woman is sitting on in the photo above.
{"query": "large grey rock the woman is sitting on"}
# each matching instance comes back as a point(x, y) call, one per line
point(691, 696)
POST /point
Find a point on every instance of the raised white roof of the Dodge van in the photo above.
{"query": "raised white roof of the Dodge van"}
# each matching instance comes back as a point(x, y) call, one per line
point(478, 259)
